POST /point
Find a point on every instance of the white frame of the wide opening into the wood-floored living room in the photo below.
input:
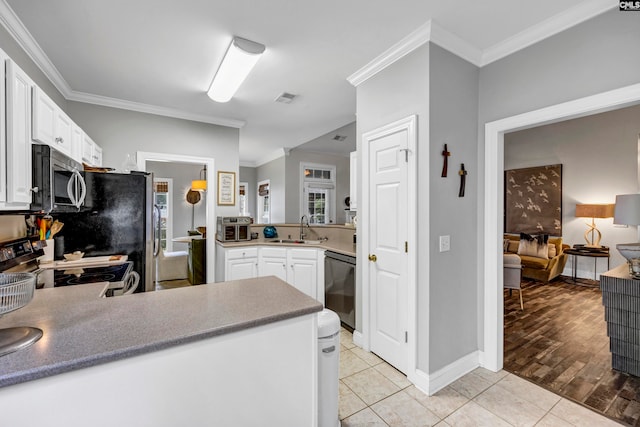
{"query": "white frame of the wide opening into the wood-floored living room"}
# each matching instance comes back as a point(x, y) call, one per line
point(493, 355)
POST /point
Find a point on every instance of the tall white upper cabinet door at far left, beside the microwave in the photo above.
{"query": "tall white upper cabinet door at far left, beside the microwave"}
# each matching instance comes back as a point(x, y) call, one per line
point(18, 160)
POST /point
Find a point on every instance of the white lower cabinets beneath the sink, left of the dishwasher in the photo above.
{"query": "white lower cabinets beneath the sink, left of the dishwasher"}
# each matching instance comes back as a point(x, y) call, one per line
point(302, 268)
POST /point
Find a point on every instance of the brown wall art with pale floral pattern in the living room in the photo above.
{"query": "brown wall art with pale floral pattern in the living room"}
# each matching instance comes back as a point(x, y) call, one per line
point(533, 200)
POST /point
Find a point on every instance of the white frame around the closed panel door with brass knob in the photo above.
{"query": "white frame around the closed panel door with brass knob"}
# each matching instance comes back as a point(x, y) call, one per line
point(410, 124)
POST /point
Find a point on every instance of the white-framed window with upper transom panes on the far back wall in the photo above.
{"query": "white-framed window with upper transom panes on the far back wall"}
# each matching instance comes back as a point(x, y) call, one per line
point(318, 193)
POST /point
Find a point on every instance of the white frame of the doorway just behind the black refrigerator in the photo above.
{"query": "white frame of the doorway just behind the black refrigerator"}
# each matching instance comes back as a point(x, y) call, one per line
point(142, 157)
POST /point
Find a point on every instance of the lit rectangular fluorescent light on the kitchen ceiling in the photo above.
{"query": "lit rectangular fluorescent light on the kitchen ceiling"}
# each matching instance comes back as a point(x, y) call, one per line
point(236, 65)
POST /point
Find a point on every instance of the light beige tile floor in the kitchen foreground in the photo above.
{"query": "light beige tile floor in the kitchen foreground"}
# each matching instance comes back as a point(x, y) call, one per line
point(372, 393)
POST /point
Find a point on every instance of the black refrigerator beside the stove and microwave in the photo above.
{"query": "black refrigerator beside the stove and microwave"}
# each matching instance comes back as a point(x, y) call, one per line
point(117, 218)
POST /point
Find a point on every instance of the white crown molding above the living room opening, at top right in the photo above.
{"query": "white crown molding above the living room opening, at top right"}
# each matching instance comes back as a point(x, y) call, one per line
point(583, 11)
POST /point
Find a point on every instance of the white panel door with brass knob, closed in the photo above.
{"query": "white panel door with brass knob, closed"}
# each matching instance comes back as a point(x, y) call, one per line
point(387, 246)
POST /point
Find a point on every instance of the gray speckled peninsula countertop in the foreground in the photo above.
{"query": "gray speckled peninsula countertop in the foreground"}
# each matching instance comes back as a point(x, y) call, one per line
point(82, 330)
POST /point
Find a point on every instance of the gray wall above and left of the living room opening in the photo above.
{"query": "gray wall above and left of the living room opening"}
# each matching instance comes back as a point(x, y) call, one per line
point(596, 56)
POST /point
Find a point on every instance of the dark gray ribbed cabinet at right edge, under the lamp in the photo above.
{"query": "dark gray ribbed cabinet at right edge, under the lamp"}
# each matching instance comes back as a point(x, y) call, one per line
point(621, 300)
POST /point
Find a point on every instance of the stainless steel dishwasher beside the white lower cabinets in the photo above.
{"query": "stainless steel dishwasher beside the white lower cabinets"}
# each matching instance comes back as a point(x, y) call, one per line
point(340, 286)
